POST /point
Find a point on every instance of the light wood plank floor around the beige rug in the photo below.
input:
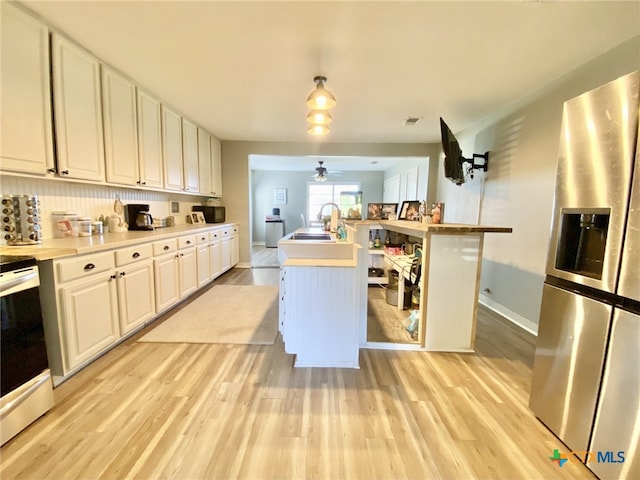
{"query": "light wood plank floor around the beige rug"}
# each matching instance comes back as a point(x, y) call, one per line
point(184, 411)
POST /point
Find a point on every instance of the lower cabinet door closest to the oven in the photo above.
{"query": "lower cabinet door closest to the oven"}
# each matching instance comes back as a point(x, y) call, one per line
point(90, 317)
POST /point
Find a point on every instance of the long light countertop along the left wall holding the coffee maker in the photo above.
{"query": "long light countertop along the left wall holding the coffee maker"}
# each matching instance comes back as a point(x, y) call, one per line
point(64, 247)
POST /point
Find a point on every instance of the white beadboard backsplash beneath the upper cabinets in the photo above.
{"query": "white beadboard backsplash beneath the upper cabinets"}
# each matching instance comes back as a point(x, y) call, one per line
point(91, 200)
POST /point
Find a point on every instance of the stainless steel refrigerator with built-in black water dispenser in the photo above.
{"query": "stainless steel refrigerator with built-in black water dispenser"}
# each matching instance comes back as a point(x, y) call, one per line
point(586, 375)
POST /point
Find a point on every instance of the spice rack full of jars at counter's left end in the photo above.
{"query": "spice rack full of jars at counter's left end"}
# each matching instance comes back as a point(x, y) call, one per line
point(21, 219)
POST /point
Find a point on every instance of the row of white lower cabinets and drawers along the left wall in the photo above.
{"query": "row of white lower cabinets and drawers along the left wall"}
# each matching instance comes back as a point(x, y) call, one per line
point(90, 302)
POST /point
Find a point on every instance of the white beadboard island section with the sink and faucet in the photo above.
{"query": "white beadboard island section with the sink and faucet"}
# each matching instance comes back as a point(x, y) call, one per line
point(319, 291)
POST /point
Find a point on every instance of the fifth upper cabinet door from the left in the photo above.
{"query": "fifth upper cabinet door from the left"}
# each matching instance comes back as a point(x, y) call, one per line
point(172, 148)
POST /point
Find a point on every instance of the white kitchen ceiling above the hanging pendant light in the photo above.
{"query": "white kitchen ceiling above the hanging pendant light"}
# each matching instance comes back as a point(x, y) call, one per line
point(244, 69)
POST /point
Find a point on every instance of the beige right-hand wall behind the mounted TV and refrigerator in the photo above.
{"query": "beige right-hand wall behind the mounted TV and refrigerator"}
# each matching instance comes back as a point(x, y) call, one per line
point(519, 187)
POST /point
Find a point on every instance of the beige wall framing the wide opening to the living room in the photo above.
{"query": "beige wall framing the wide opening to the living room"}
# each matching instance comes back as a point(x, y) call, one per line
point(236, 181)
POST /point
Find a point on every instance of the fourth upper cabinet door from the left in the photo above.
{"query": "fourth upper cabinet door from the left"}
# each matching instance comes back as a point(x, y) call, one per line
point(149, 140)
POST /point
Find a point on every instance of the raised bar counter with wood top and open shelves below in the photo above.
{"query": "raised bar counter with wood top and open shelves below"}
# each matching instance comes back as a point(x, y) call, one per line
point(451, 259)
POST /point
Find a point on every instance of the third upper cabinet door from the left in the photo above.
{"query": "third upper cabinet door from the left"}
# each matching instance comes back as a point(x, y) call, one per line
point(120, 127)
